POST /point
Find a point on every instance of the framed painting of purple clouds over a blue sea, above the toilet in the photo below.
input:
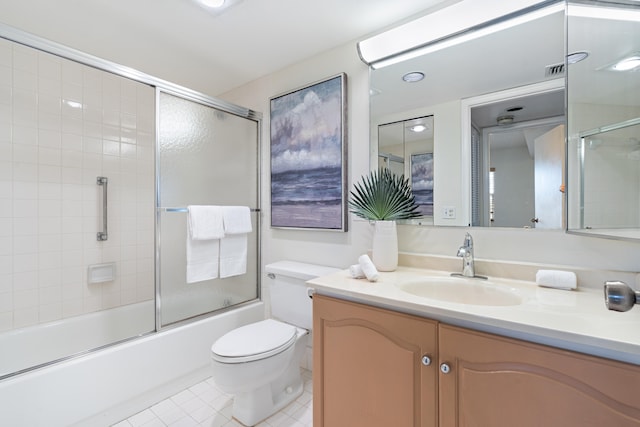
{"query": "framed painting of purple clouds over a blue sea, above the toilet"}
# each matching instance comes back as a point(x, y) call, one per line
point(308, 157)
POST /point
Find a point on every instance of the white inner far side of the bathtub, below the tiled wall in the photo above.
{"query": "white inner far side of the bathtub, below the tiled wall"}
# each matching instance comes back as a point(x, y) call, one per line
point(38, 344)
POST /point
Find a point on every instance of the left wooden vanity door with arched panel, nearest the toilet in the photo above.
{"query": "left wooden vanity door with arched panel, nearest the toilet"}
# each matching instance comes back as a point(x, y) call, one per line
point(367, 367)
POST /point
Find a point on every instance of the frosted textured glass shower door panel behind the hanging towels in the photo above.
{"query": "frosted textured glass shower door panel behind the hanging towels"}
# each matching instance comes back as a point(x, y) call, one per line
point(206, 156)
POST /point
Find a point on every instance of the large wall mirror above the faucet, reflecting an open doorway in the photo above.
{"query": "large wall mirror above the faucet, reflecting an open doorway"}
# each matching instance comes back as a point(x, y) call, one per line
point(493, 98)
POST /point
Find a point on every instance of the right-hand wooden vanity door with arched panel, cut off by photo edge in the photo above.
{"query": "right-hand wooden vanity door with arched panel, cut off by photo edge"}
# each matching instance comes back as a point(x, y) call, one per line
point(501, 382)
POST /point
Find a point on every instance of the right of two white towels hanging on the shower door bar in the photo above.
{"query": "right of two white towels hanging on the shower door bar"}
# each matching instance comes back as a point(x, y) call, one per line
point(233, 247)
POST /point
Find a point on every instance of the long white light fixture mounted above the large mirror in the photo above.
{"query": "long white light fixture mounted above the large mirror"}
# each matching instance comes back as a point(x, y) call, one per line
point(450, 26)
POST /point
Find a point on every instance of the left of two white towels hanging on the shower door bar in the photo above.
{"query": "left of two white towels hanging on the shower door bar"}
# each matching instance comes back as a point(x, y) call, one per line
point(204, 229)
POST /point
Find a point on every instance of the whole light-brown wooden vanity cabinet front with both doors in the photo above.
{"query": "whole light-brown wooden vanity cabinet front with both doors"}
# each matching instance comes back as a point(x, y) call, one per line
point(368, 372)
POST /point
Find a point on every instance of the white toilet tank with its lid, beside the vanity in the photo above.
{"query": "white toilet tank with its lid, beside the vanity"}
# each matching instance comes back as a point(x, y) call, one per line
point(289, 300)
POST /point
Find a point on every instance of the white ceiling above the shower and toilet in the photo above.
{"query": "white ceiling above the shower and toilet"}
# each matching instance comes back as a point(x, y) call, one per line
point(179, 41)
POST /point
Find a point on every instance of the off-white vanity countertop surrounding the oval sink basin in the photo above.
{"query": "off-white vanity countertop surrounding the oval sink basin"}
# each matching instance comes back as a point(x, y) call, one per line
point(575, 320)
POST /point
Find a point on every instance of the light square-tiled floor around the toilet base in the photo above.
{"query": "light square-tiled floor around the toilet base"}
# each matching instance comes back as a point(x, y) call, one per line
point(204, 405)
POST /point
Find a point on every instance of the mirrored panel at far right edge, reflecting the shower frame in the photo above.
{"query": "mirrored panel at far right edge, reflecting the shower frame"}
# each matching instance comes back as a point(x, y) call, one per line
point(604, 120)
